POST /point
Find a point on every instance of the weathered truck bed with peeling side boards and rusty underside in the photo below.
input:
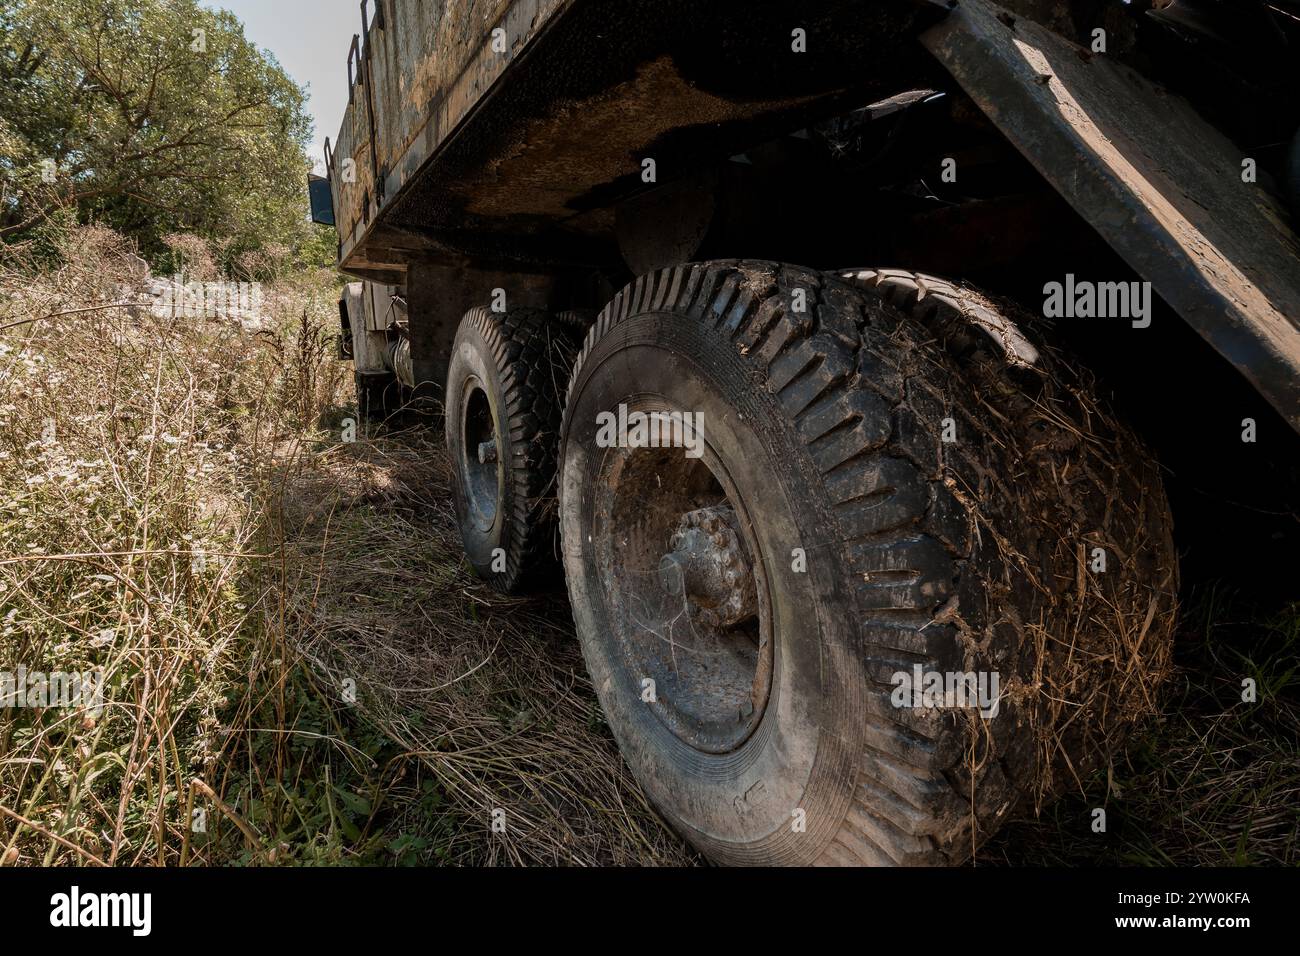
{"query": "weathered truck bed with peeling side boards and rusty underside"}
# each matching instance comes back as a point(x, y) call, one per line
point(463, 153)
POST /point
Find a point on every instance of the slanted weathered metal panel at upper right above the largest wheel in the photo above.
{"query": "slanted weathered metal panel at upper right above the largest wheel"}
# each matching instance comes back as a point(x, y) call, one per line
point(1152, 178)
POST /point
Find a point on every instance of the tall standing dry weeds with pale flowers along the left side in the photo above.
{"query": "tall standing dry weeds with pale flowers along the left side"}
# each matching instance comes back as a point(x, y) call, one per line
point(137, 460)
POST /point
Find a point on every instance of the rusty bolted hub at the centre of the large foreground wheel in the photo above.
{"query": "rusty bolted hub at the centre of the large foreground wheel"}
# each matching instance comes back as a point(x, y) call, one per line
point(709, 569)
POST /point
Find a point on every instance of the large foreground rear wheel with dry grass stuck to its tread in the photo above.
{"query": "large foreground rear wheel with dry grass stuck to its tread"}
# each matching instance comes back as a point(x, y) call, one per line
point(874, 547)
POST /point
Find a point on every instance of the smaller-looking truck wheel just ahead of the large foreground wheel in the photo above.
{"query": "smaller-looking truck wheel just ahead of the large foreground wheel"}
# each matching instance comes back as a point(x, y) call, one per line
point(502, 430)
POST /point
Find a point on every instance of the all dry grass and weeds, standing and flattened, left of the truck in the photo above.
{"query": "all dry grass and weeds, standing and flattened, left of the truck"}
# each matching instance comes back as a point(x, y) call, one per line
point(180, 512)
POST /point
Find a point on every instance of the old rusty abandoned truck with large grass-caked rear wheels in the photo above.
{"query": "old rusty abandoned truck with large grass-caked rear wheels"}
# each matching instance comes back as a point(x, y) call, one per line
point(824, 348)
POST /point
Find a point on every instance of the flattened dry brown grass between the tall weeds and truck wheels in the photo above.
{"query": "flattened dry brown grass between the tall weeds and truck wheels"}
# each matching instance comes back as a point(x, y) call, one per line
point(489, 693)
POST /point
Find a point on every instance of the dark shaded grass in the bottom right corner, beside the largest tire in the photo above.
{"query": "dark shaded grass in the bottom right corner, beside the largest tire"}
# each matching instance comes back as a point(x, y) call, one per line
point(1214, 781)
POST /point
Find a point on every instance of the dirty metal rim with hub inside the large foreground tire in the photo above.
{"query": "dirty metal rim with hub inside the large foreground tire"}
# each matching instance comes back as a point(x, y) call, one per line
point(665, 527)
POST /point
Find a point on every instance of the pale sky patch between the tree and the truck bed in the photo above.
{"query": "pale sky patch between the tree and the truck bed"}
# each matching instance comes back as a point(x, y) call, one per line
point(310, 40)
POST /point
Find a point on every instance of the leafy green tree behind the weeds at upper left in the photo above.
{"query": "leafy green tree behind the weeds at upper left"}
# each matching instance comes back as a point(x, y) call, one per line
point(150, 116)
